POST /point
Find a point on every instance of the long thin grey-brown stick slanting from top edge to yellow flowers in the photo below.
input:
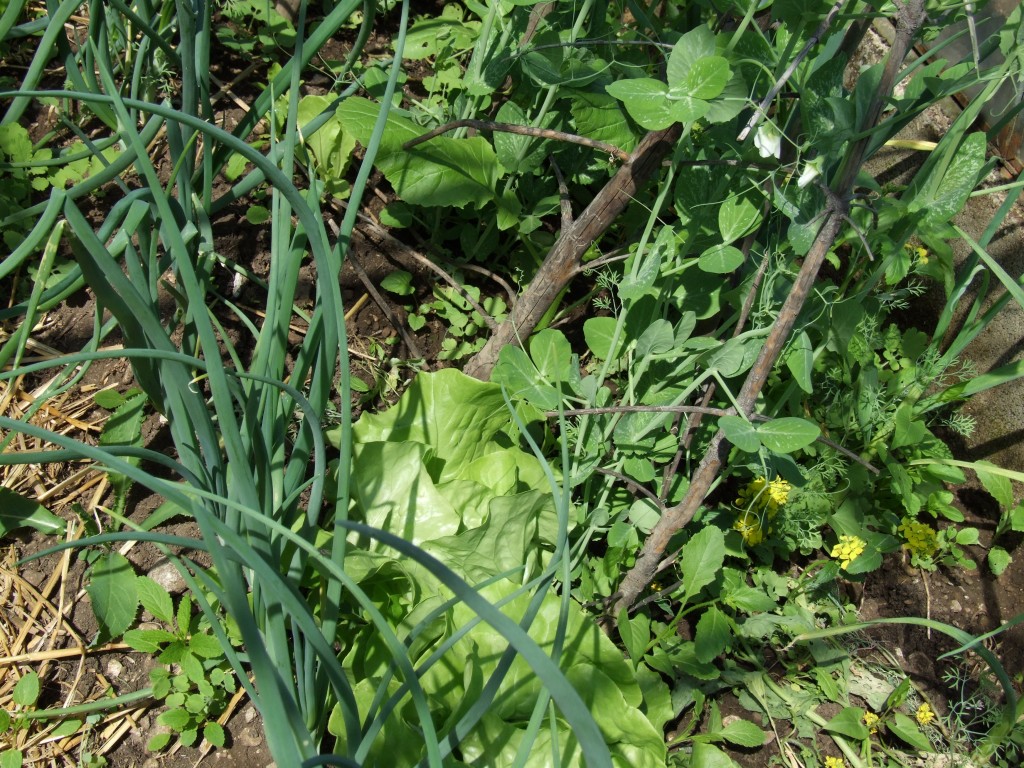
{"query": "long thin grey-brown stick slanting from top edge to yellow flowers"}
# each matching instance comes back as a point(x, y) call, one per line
point(675, 519)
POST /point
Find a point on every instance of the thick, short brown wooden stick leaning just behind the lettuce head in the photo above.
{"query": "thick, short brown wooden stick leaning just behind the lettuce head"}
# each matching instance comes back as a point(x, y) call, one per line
point(563, 263)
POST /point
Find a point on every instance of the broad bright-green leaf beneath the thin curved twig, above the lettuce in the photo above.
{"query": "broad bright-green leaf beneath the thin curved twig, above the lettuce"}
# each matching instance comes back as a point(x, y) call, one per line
point(441, 173)
